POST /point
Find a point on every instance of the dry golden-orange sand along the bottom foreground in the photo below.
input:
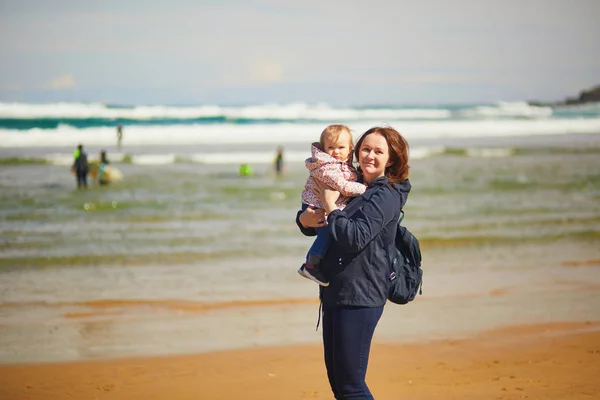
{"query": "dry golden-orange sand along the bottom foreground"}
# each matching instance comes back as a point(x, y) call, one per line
point(543, 361)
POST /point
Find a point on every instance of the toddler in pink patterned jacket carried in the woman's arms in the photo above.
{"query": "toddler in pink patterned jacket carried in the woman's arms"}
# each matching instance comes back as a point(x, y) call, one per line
point(331, 165)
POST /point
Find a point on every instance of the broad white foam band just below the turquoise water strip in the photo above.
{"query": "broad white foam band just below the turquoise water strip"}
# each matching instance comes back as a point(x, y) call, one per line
point(286, 133)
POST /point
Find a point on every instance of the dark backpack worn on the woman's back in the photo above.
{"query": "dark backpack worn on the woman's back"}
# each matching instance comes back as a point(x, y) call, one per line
point(406, 276)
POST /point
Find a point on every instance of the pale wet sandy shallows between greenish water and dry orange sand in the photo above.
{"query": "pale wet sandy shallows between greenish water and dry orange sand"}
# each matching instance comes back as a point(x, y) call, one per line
point(96, 321)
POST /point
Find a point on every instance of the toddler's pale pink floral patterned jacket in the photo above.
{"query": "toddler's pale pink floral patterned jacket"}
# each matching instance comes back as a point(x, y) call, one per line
point(339, 175)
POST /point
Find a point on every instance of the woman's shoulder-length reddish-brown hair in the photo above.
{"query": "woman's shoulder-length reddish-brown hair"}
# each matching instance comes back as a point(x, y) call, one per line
point(398, 147)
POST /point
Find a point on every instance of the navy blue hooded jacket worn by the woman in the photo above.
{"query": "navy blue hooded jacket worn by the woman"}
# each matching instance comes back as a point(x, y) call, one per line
point(357, 262)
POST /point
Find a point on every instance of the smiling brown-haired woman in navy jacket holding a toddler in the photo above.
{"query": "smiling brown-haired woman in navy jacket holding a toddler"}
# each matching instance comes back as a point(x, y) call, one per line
point(357, 263)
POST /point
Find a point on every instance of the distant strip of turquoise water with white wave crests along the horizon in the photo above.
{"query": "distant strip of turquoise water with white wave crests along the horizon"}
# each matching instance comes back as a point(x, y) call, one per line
point(24, 116)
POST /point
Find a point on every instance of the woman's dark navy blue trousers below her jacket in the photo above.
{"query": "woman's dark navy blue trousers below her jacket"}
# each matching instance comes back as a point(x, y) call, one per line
point(347, 335)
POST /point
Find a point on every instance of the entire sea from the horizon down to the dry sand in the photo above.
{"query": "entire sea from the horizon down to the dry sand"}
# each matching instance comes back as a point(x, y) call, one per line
point(505, 203)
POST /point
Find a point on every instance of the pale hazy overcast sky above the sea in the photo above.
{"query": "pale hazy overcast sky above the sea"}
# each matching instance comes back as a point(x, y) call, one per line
point(343, 52)
